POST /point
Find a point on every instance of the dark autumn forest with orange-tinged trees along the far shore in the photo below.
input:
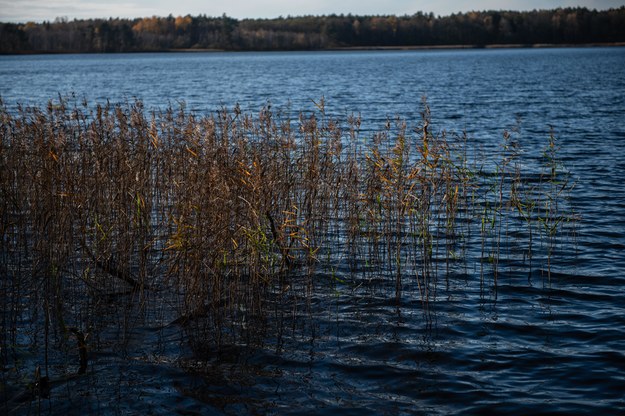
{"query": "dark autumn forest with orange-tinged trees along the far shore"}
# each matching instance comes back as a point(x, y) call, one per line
point(559, 26)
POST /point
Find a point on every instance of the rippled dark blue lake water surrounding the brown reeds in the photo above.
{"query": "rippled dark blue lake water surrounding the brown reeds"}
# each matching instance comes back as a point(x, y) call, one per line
point(530, 345)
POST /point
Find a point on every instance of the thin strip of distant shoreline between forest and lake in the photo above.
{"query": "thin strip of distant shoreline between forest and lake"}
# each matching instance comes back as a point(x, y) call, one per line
point(344, 48)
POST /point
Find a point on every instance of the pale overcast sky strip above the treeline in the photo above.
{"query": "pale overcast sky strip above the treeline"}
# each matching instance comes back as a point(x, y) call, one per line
point(39, 10)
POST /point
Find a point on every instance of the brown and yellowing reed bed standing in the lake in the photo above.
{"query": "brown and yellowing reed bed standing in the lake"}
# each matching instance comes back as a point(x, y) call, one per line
point(208, 221)
